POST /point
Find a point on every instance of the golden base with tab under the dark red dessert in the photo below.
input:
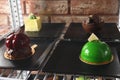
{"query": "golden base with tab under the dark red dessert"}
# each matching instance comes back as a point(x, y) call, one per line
point(11, 57)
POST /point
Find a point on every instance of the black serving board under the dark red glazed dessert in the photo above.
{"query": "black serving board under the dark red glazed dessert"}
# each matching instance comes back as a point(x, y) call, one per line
point(31, 63)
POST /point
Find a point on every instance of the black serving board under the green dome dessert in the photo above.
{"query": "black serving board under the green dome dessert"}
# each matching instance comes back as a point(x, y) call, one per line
point(65, 60)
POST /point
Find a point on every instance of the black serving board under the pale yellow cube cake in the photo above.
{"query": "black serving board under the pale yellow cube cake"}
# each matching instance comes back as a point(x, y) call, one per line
point(48, 30)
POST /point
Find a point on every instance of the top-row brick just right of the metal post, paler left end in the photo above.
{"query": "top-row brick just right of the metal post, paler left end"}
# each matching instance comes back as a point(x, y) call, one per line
point(47, 7)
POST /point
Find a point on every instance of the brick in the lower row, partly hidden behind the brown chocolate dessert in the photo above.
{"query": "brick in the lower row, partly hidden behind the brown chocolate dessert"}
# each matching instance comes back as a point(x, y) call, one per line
point(80, 18)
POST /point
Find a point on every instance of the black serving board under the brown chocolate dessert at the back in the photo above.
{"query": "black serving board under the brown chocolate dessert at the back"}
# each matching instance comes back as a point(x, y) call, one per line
point(109, 32)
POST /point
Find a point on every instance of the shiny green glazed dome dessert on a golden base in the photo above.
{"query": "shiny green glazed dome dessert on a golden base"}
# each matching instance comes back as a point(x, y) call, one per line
point(96, 52)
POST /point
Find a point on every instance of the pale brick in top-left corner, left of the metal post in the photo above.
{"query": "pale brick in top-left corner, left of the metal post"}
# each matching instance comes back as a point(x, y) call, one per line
point(4, 6)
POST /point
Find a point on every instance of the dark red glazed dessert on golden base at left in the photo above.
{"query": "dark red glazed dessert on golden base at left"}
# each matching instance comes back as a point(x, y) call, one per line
point(18, 47)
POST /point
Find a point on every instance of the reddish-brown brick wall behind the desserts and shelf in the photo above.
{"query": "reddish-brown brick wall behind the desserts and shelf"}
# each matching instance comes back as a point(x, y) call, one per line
point(63, 10)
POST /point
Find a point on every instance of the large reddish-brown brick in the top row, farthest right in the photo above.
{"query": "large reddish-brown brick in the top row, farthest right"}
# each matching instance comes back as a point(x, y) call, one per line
point(94, 6)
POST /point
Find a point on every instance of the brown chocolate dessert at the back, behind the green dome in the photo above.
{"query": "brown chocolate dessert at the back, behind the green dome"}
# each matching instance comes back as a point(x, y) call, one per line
point(93, 24)
